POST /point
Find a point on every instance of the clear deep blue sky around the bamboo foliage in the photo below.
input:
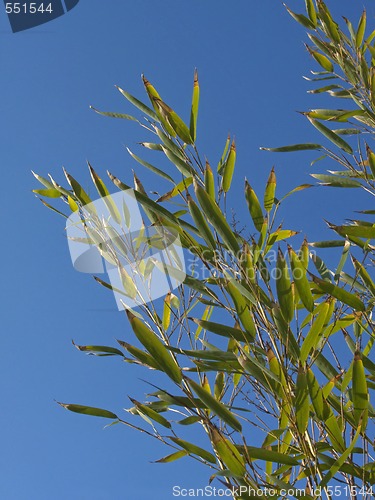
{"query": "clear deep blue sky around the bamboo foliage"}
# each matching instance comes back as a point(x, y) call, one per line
point(251, 60)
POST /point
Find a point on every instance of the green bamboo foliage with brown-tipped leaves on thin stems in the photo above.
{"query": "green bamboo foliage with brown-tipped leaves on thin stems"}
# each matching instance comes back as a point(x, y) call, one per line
point(251, 350)
